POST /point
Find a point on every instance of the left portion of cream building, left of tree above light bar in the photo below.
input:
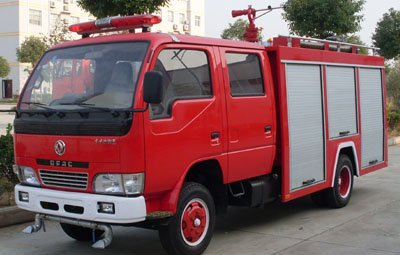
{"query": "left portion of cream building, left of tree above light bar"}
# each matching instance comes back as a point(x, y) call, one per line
point(23, 18)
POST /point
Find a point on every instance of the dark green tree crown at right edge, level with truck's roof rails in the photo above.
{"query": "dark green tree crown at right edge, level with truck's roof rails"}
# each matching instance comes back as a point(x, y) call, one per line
point(387, 34)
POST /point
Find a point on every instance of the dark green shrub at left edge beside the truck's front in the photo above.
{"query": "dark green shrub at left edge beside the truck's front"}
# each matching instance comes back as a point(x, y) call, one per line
point(7, 176)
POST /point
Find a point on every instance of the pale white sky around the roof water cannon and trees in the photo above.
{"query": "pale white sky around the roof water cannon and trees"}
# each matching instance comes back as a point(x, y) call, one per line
point(218, 16)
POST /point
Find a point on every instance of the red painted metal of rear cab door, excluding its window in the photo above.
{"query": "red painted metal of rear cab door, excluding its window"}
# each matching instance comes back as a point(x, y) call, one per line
point(250, 147)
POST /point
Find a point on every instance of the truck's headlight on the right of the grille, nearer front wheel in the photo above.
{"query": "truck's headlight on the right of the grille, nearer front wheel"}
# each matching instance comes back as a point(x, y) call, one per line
point(126, 184)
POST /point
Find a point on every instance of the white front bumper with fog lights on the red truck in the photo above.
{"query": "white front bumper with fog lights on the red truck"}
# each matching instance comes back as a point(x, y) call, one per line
point(127, 209)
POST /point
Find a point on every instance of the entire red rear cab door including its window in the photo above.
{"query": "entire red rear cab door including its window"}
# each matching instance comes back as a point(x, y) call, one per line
point(250, 113)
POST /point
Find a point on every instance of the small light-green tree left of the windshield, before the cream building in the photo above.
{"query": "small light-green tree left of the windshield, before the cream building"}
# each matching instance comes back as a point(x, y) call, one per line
point(31, 50)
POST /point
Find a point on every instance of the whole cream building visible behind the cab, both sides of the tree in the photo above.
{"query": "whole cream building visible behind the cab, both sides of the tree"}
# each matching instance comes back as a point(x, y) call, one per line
point(23, 18)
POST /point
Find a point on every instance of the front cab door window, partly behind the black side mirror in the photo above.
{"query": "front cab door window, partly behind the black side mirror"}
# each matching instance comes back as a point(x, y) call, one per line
point(186, 75)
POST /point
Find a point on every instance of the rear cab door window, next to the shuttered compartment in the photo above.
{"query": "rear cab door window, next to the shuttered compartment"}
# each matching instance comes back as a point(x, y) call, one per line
point(244, 74)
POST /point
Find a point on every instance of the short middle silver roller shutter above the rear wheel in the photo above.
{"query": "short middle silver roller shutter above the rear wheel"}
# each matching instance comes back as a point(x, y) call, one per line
point(341, 94)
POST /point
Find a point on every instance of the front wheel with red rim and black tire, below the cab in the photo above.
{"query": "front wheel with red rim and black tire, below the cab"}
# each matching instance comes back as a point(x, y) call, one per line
point(195, 203)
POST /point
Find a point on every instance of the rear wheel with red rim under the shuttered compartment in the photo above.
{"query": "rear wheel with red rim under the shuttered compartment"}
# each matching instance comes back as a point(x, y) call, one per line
point(339, 195)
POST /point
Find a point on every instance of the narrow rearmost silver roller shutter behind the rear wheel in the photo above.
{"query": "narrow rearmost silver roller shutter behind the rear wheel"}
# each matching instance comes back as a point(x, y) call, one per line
point(371, 101)
